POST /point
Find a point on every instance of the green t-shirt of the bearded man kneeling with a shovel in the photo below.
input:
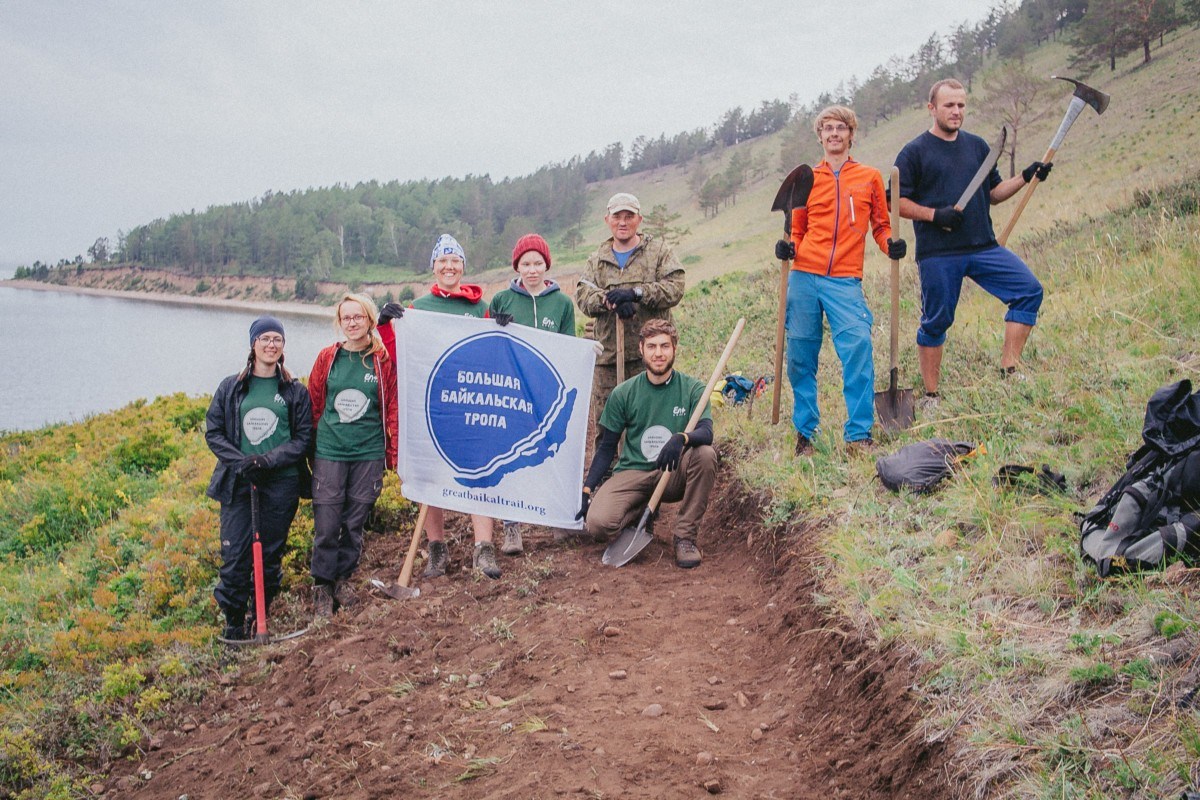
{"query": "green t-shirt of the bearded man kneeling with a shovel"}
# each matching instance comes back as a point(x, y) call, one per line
point(650, 416)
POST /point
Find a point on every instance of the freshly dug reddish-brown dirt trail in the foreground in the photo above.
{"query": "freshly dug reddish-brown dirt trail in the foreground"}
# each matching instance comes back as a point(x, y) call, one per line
point(571, 658)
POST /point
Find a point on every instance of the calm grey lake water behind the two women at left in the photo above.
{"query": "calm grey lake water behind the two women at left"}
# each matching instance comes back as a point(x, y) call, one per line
point(68, 356)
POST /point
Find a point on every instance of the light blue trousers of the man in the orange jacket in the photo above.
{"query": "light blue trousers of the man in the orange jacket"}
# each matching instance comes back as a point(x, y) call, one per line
point(841, 302)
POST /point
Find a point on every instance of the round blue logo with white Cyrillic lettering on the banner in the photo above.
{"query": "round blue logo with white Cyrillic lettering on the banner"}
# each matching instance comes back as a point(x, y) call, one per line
point(495, 405)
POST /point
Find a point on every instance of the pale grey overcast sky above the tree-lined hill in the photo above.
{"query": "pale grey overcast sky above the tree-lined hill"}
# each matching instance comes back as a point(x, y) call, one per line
point(113, 115)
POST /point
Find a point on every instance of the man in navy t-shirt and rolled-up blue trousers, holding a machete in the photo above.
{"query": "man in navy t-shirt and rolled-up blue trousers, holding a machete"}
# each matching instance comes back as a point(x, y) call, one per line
point(955, 244)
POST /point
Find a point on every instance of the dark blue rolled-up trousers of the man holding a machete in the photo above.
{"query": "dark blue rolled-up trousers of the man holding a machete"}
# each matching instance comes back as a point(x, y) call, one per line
point(998, 272)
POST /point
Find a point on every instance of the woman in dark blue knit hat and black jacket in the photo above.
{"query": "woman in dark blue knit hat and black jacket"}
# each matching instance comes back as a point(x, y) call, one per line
point(259, 426)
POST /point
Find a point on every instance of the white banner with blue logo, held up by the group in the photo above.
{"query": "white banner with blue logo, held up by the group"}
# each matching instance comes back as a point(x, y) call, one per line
point(493, 420)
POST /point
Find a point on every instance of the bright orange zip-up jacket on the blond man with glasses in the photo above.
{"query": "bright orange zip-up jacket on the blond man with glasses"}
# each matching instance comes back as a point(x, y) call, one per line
point(831, 232)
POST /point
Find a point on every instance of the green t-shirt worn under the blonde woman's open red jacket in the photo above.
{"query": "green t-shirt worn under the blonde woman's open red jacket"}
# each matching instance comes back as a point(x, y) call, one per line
point(351, 428)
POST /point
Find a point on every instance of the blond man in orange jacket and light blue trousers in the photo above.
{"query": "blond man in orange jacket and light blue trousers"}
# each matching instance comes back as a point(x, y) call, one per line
point(830, 237)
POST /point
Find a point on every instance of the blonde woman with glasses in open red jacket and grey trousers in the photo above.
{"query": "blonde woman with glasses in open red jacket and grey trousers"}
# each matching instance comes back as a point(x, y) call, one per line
point(353, 392)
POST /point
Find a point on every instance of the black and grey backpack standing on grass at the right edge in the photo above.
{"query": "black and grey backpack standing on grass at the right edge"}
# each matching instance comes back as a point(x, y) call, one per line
point(1150, 514)
